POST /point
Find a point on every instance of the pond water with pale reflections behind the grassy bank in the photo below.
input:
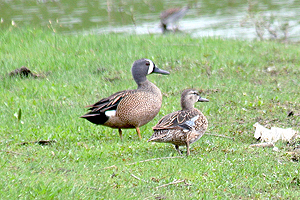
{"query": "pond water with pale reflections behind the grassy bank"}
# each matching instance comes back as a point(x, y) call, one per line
point(226, 18)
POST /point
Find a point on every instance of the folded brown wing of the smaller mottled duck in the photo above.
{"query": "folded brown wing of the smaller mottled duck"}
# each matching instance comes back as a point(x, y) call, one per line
point(176, 120)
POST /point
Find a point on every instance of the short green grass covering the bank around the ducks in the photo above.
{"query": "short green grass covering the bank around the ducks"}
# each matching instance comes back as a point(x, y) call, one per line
point(90, 162)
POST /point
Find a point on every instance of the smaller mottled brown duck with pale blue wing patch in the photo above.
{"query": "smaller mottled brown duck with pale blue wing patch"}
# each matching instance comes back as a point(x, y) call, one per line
point(182, 127)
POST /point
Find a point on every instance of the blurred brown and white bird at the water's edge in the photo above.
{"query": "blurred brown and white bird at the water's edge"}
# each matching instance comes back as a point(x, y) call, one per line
point(172, 16)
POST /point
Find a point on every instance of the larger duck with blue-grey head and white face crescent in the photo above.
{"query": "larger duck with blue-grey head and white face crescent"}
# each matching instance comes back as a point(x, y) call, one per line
point(130, 108)
